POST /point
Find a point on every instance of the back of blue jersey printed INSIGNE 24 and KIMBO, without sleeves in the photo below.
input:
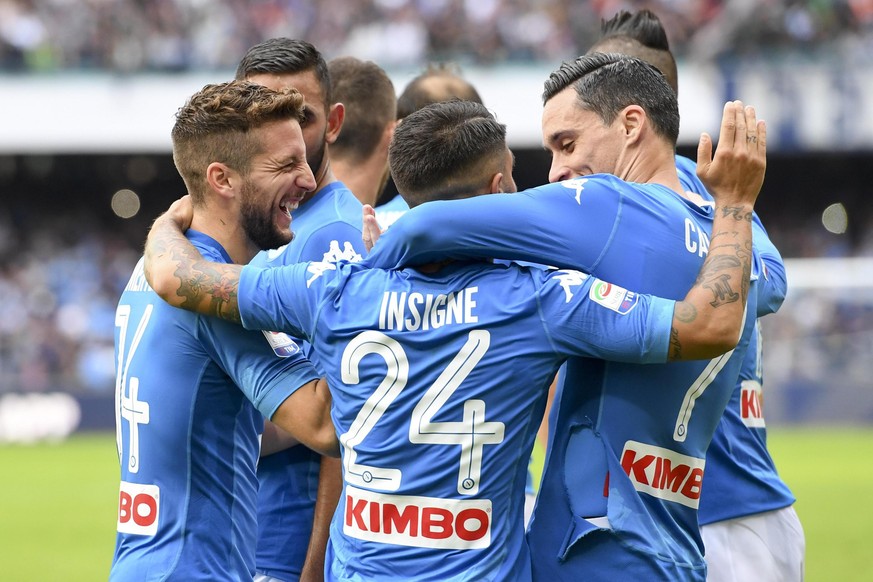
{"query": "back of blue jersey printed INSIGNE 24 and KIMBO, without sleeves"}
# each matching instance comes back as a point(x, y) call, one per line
point(435, 457)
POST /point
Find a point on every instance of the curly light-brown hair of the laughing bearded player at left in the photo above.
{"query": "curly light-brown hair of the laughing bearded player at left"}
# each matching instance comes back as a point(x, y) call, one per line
point(215, 125)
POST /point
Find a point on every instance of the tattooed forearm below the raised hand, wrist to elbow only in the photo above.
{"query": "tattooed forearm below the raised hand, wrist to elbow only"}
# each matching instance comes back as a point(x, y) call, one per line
point(709, 320)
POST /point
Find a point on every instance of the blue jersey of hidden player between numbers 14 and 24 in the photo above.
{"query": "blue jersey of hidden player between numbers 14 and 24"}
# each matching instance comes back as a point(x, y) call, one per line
point(326, 228)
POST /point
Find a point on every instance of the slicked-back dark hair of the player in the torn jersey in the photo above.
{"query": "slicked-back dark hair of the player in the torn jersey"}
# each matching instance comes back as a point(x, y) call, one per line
point(606, 83)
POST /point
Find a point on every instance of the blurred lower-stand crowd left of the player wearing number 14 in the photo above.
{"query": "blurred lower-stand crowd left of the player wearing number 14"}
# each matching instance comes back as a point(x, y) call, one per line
point(59, 289)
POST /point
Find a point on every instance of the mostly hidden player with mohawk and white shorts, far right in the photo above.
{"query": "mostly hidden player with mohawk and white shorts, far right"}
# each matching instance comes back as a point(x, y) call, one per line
point(750, 529)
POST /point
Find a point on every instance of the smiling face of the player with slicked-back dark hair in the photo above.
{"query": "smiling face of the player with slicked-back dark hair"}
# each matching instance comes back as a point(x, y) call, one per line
point(579, 141)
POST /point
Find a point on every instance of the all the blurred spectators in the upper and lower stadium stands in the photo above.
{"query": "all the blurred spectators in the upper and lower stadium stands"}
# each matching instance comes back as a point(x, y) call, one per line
point(59, 287)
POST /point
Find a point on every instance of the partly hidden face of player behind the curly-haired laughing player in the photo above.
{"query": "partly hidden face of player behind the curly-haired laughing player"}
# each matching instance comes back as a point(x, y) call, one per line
point(315, 125)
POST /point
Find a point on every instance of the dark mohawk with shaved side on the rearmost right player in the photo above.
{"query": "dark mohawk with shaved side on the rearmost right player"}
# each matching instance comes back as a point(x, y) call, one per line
point(642, 35)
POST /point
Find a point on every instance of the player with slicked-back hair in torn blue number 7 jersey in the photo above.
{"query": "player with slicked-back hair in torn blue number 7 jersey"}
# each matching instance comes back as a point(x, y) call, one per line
point(621, 485)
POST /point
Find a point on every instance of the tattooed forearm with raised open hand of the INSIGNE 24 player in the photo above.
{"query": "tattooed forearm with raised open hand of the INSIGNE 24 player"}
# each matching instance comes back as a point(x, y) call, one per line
point(709, 320)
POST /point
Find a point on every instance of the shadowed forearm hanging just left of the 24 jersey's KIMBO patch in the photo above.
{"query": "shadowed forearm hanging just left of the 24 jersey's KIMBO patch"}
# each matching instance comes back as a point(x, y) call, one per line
point(330, 485)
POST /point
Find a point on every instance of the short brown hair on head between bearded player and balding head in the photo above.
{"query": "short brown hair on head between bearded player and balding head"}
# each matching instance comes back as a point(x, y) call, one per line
point(368, 95)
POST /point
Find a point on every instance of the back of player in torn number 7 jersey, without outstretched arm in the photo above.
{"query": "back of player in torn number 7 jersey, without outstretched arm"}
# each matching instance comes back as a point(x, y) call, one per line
point(627, 453)
